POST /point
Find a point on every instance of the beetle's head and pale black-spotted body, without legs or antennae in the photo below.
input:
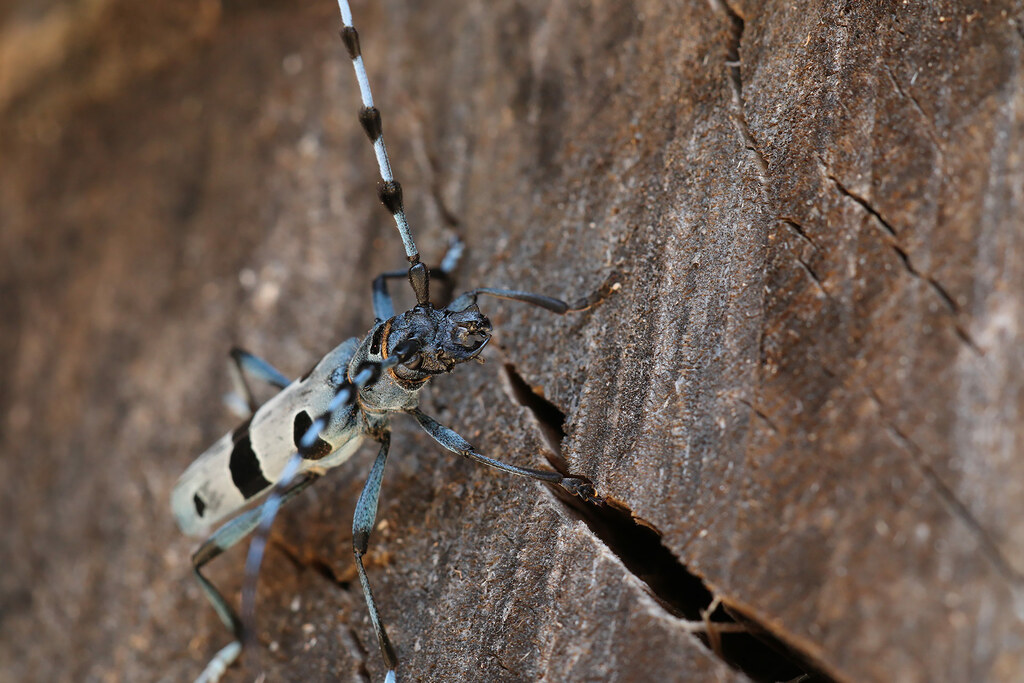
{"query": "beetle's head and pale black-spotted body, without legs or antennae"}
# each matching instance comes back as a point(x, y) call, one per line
point(244, 464)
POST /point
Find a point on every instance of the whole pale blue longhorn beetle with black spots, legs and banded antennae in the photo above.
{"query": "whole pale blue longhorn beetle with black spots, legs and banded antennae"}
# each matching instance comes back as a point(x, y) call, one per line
point(319, 421)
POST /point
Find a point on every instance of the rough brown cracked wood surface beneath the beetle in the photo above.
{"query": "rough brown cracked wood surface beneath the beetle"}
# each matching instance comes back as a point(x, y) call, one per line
point(809, 383)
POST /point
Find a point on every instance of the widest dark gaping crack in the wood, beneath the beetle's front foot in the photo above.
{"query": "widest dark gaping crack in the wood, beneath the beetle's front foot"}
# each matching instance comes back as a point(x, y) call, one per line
point(740, 642)
